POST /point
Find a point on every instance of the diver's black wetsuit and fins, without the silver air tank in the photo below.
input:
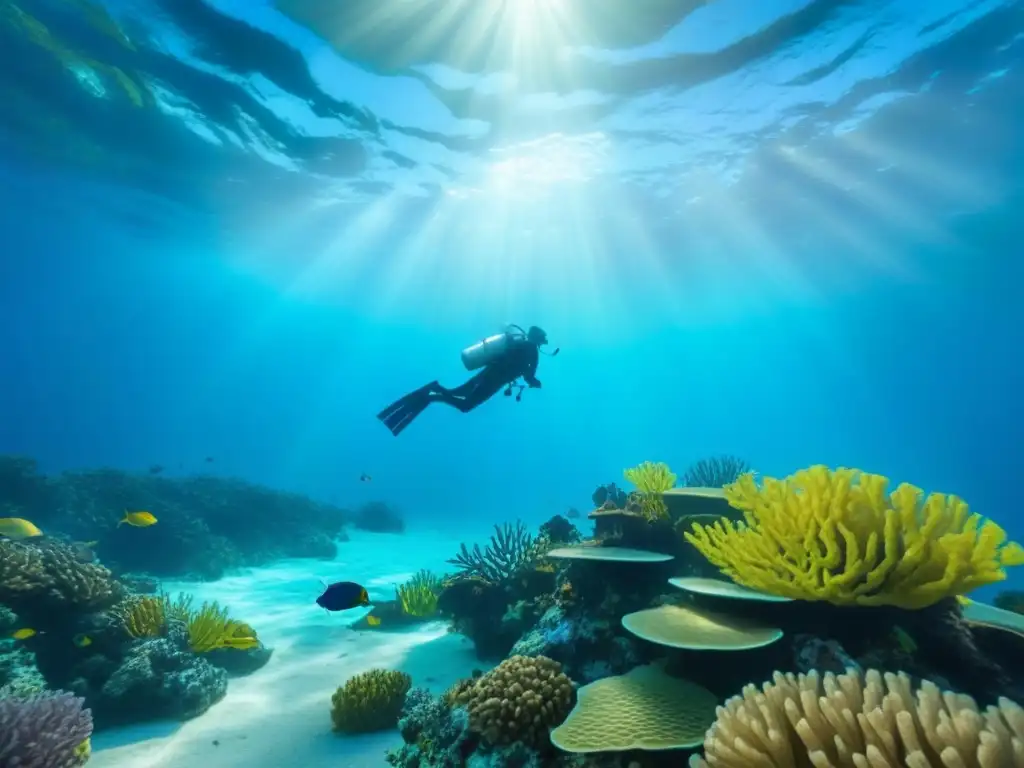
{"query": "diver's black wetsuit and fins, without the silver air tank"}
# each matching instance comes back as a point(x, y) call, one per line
point(520, 359)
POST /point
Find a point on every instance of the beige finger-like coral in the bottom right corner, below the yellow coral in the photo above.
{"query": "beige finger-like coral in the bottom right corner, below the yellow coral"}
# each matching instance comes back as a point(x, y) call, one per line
point(848, 721)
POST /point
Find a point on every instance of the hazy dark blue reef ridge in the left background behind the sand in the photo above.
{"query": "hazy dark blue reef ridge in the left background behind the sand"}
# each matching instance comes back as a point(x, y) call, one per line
point(206, 525)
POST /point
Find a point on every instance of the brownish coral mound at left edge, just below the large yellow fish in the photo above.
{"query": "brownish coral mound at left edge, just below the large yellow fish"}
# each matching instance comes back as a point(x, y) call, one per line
point(47, 575)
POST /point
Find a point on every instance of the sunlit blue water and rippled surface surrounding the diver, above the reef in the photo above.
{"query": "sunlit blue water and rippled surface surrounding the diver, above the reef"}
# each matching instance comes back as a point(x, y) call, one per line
point(786, 231)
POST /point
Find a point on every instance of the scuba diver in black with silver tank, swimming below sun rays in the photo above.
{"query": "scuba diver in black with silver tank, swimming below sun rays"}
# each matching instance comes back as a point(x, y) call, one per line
point(504, 358)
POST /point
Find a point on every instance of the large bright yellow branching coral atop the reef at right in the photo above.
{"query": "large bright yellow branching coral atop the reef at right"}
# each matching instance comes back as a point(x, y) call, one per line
point(837, 537)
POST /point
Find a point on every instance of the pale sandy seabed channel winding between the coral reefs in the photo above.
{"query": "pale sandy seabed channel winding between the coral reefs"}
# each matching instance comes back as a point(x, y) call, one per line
point(279, 717)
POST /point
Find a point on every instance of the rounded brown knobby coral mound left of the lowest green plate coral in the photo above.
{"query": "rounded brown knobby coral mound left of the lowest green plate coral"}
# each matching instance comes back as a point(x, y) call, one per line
point(519, 701)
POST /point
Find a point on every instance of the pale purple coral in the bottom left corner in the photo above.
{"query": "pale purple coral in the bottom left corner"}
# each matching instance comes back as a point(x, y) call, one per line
point(50, 731)
